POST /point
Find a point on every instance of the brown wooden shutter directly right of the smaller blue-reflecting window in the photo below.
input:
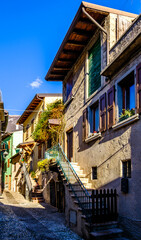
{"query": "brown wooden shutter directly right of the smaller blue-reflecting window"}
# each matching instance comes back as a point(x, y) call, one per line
point(103, 112)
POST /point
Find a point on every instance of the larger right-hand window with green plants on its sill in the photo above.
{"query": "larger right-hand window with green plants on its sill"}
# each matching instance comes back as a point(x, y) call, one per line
point(126, 95)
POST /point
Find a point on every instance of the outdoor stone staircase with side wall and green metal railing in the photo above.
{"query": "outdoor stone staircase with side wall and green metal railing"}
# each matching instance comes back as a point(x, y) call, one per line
point(78, 207)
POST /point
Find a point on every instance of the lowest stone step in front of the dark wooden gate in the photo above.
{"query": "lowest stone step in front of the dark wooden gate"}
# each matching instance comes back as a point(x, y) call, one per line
point(106, 233)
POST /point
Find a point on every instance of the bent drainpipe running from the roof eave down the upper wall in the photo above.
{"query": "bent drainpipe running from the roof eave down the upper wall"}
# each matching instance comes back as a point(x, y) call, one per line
point(101, 28)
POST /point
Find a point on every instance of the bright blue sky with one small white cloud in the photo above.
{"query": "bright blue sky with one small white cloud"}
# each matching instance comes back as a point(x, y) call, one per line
point(31, 33)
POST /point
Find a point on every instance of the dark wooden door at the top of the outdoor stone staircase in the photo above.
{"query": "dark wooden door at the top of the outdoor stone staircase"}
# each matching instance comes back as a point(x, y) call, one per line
point(70, 145)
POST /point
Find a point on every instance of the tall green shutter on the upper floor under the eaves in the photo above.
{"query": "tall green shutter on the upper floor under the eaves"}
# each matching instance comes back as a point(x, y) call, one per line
point(94, 68)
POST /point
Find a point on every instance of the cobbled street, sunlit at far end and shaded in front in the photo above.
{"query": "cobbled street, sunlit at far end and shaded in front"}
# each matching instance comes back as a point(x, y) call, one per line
point(21, 219)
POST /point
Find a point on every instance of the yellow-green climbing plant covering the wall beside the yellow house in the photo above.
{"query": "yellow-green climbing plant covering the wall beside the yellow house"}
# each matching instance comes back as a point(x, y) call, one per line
point(44, 130)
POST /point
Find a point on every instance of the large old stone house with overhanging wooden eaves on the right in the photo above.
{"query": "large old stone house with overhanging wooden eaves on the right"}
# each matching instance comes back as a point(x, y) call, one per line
point(99, 63)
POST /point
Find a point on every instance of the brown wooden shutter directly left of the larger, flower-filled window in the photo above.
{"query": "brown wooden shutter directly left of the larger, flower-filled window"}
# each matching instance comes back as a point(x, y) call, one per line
point(111, 107)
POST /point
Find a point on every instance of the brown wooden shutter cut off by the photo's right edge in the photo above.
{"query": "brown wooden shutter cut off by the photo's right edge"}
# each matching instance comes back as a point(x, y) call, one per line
point(138, 82)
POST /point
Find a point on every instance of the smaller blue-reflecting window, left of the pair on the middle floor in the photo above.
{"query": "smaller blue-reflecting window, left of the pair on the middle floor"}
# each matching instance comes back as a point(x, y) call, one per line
point(94, 118)
